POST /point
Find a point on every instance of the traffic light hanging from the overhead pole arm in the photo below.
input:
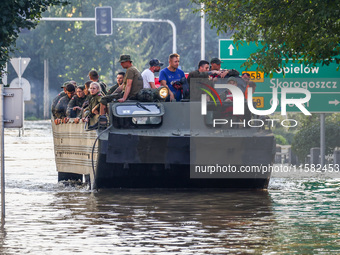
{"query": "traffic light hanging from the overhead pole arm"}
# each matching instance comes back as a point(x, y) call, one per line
point(103, 20)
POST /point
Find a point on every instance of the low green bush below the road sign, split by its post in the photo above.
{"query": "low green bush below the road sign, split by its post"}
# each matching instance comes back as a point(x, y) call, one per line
point(309, 137)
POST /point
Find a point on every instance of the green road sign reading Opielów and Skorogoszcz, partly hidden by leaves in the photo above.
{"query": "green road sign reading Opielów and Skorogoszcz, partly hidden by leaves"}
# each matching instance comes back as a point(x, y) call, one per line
point(322, 81)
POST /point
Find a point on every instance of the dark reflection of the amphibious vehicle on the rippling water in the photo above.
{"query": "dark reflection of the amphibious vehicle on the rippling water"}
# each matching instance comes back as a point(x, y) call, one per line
point(142, 222)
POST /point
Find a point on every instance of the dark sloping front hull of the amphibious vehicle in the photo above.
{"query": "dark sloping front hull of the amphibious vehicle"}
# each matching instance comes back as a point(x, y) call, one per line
point(134, 161)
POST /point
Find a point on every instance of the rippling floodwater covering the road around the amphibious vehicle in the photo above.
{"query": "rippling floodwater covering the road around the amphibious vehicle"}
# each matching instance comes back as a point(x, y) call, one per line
point(295, 216)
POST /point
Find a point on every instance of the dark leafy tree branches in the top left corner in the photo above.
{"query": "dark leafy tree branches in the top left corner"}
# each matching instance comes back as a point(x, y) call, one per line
point(17, 15)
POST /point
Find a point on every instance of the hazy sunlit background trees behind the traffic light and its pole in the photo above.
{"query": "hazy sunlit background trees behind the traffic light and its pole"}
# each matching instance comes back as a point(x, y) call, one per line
point(72, 48)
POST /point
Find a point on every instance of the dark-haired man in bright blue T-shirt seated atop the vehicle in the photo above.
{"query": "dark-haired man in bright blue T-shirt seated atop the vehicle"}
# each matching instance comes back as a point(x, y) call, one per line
point(169, 75)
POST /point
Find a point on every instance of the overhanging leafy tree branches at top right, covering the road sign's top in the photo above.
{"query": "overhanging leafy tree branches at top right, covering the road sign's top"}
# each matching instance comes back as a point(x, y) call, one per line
point(305, 31)
